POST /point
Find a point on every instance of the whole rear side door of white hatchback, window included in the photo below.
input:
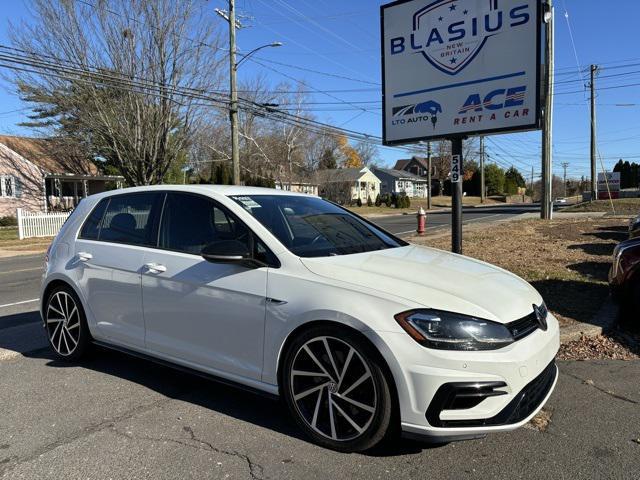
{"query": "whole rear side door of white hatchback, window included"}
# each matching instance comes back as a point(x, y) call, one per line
point(108, 258)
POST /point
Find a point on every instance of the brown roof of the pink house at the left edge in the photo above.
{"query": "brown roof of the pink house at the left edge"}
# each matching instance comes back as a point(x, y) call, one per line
point(49, 155)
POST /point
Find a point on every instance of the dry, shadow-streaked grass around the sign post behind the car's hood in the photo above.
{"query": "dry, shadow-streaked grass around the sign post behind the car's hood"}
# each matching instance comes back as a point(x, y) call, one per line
point(566, 260)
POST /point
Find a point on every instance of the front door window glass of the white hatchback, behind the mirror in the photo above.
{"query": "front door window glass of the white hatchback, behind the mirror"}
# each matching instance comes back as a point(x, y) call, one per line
point(191, 222)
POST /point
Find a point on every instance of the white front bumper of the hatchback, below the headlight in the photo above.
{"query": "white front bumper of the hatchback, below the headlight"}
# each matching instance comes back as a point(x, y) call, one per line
point(523, 376)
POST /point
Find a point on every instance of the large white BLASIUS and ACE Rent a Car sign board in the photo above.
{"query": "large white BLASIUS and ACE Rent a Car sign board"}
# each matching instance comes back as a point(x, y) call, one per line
point(459, 67)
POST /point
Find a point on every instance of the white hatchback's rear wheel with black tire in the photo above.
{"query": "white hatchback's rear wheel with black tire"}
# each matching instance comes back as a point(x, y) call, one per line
point(66, 324)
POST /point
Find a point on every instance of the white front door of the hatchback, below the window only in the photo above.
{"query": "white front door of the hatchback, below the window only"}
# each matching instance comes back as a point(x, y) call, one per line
point(209, 314)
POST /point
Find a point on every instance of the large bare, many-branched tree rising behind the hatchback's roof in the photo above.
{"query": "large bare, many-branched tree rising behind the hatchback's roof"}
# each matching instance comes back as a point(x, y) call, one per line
point(137, 58)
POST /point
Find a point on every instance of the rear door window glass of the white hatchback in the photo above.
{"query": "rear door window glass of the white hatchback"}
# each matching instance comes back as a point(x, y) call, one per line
point(130, 219)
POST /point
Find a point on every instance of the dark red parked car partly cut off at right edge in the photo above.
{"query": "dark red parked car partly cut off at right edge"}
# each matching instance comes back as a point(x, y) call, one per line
point(624, 279)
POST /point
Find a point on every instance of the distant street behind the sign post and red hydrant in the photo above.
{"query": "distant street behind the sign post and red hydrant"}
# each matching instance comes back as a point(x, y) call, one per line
point(441, 221)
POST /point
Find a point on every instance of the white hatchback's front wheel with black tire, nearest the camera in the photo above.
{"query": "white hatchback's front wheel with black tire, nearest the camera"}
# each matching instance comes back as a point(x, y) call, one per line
point(335, 387)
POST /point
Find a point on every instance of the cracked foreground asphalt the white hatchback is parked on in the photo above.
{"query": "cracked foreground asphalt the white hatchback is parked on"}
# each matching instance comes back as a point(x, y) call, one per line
point(113, 416)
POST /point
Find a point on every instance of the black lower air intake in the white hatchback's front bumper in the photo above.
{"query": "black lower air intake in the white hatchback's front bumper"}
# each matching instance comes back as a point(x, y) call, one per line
point(522, 405)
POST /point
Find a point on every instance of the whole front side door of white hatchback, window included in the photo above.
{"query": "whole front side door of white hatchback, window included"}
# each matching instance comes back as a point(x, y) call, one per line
point(209, 314)
